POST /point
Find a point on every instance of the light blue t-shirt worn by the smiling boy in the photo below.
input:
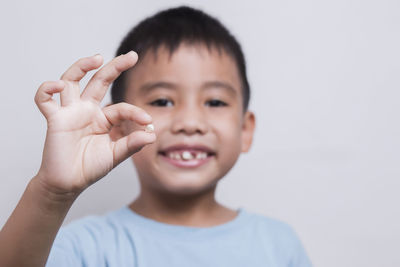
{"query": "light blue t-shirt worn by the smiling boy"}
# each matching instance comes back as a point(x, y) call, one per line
point(124, 238)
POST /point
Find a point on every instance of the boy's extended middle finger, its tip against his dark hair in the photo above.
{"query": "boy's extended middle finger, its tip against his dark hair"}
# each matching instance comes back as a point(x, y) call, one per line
point(99, 83)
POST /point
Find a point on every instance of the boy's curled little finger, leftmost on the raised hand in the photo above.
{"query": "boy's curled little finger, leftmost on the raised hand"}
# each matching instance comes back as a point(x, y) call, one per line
point(43, 98)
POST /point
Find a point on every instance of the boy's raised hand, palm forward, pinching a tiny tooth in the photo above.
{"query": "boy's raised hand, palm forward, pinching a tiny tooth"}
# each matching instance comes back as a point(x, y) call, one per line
point(78, 149)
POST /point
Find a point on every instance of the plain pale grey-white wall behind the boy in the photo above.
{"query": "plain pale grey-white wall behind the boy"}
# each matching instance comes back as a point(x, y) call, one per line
point(325, 83)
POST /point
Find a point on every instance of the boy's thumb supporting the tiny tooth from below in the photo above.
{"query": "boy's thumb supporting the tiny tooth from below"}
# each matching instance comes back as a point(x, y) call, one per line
point(130, 144)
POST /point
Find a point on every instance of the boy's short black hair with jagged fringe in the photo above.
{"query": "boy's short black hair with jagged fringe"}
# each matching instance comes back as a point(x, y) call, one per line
point(172, 27)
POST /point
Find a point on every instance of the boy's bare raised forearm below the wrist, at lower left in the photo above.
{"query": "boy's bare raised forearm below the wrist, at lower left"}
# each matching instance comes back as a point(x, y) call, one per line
point(28, 235)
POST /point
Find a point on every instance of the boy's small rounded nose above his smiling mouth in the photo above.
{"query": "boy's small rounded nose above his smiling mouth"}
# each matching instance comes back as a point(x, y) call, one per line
point(189, 119)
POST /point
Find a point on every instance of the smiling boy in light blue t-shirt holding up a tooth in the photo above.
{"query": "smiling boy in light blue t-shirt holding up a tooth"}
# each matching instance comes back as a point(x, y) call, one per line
point(191, 84)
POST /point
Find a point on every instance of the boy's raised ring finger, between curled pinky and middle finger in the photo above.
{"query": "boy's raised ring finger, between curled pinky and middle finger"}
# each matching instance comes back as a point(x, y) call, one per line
point(74, 74)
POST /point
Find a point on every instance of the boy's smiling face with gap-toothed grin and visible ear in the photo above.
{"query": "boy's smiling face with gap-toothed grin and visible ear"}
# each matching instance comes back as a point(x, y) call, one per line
point(194, 97)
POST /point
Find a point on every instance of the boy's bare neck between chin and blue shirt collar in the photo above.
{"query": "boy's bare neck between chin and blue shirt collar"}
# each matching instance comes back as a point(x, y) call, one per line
point(200, 209)
